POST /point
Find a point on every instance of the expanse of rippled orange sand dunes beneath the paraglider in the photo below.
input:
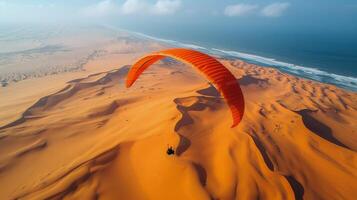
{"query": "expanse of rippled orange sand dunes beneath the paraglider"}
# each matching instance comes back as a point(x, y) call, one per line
point(95, 139)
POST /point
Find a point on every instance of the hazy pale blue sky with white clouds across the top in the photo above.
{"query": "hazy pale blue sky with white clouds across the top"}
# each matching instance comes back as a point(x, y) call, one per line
point(327, 15)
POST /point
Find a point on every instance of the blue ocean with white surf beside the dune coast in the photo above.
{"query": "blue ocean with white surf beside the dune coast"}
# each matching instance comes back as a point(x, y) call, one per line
point(322, 59)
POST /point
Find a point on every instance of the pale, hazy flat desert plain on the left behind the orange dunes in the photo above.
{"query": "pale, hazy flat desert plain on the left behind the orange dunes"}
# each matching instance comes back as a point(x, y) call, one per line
point(54, 56)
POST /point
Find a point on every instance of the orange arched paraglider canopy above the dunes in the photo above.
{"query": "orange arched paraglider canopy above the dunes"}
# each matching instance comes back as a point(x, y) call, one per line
point(214, 71)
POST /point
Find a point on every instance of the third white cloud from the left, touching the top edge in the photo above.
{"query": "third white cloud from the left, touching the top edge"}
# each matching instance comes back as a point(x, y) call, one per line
point(166, 7)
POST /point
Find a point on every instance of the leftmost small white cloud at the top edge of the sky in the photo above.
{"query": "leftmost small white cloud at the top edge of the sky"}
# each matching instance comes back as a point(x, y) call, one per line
point(101, 9)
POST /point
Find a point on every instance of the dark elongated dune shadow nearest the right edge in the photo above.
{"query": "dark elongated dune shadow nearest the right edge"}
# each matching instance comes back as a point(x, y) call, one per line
point(319, 128)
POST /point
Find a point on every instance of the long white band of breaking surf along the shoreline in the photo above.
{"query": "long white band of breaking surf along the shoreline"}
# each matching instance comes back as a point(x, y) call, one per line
point(306, 72)
